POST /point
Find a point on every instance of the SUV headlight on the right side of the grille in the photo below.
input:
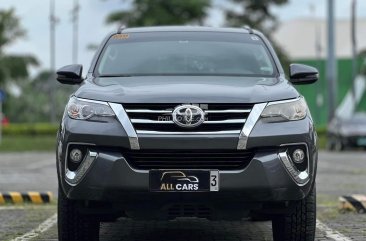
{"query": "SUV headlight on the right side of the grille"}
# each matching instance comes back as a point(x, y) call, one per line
point(288, 110)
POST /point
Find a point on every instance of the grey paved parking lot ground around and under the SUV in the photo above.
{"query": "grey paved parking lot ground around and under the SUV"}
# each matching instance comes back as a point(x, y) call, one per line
point(338, 174)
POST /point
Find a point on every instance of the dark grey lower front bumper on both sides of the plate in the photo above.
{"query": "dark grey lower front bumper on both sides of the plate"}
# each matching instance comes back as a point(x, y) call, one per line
point(110, 178)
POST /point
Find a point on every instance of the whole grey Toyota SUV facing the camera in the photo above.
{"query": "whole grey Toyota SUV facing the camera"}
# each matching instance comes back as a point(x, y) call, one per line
point(175, 122)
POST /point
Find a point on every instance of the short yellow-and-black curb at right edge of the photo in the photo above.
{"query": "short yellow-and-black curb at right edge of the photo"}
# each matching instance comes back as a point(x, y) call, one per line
point(356, 203)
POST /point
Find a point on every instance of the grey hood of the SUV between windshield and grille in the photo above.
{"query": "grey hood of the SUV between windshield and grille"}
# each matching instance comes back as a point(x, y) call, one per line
point(187, 89)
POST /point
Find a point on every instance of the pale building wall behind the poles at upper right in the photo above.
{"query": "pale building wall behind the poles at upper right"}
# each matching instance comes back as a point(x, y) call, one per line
point(306, 38)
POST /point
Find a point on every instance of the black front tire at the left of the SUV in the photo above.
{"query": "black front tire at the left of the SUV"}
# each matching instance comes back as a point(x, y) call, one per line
point(72, 225)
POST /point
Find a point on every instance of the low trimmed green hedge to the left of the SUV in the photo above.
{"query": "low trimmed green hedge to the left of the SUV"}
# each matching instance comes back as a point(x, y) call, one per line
point(31, 129)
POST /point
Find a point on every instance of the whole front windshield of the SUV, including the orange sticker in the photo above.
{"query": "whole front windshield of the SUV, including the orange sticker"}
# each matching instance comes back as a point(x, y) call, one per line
point(185, 53)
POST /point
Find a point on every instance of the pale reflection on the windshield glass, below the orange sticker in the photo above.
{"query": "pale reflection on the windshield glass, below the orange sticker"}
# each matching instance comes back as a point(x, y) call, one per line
point(185, 58)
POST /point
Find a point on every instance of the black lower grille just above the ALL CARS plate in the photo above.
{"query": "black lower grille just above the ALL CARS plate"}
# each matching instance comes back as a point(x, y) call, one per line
point(188, 159)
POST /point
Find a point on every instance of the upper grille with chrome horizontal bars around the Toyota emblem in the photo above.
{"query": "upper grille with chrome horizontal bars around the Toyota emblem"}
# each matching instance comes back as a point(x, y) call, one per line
point(157, 118)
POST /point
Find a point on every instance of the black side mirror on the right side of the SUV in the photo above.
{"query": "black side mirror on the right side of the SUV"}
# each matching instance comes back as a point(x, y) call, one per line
point(303, 74)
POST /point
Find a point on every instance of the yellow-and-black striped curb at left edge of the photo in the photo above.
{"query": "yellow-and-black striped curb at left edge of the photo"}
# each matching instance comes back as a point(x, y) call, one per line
point(25, 197)
